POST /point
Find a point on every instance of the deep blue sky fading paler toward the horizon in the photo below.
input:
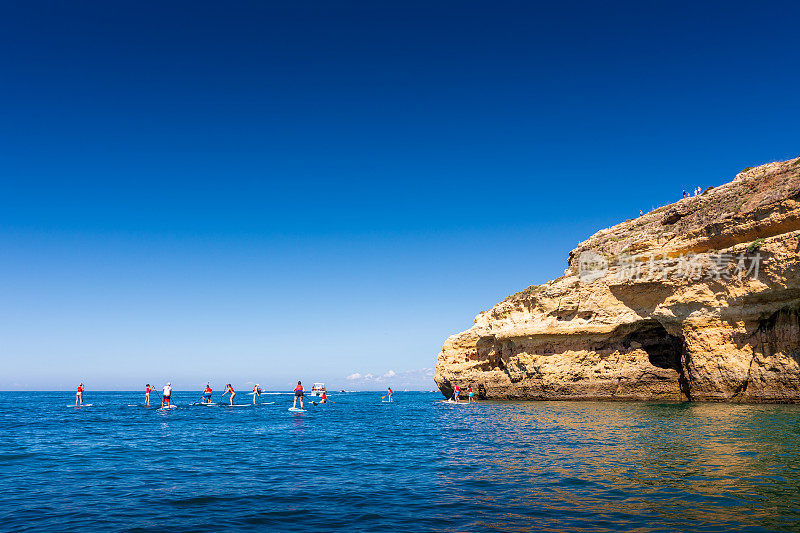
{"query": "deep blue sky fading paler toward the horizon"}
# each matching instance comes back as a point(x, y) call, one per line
point(272, 191)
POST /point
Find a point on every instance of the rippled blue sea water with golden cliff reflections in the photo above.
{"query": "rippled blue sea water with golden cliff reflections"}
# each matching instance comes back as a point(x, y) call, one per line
point(414, 465)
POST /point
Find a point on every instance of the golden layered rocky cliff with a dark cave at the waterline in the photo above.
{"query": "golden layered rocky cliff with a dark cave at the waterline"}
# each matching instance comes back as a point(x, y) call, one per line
point(699, 300)
